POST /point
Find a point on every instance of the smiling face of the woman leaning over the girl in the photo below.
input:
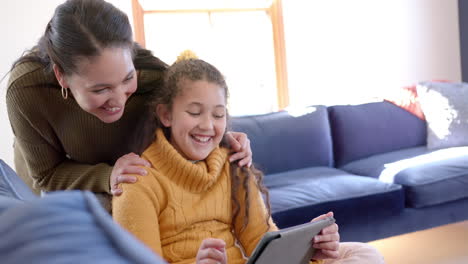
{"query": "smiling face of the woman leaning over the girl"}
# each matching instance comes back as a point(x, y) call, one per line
point(103, 83)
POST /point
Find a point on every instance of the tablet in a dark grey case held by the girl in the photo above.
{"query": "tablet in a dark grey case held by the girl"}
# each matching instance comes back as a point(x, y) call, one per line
point(292, 245)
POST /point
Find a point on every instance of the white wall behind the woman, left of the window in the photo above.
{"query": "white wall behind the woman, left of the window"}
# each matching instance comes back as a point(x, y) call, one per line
point(22, 22)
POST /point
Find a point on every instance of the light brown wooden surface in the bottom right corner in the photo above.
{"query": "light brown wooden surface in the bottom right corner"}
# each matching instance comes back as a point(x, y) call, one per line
point(442, 245)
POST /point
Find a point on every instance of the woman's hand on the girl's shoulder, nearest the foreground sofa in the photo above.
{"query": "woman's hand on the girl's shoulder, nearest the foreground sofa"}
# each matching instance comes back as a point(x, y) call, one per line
point(125, 165)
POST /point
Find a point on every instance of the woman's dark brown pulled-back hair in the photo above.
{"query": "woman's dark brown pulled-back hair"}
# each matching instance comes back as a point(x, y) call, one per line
point(82, 29)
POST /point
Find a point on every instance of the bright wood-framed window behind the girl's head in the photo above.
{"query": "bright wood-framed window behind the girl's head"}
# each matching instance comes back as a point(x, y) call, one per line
point(235, 36)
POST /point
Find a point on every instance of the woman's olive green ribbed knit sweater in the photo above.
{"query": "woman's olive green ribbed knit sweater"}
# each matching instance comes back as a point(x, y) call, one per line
point(58, 145)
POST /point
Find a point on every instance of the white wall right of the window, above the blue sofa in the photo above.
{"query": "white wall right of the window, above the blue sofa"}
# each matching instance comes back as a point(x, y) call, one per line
point(341, 51)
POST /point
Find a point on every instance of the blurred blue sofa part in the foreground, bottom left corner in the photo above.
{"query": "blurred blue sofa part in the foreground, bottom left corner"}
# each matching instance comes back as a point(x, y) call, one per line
point(66, 227)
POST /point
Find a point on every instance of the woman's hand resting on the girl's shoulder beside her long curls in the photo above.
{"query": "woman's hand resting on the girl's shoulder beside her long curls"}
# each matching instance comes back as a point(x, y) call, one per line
point(240, 144)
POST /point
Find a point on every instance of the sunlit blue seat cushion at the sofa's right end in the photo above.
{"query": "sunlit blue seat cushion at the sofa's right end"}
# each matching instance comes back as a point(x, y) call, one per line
point(428, 177)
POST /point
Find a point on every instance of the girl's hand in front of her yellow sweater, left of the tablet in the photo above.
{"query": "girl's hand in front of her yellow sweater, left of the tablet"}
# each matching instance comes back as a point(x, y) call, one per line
point(212, 251)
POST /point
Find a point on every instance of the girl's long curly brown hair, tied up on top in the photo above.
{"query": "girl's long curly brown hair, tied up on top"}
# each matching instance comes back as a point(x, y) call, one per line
point(196, 70)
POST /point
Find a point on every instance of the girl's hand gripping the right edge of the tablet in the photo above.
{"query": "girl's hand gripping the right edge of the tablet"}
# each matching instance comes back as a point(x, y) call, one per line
point(327, 241)
